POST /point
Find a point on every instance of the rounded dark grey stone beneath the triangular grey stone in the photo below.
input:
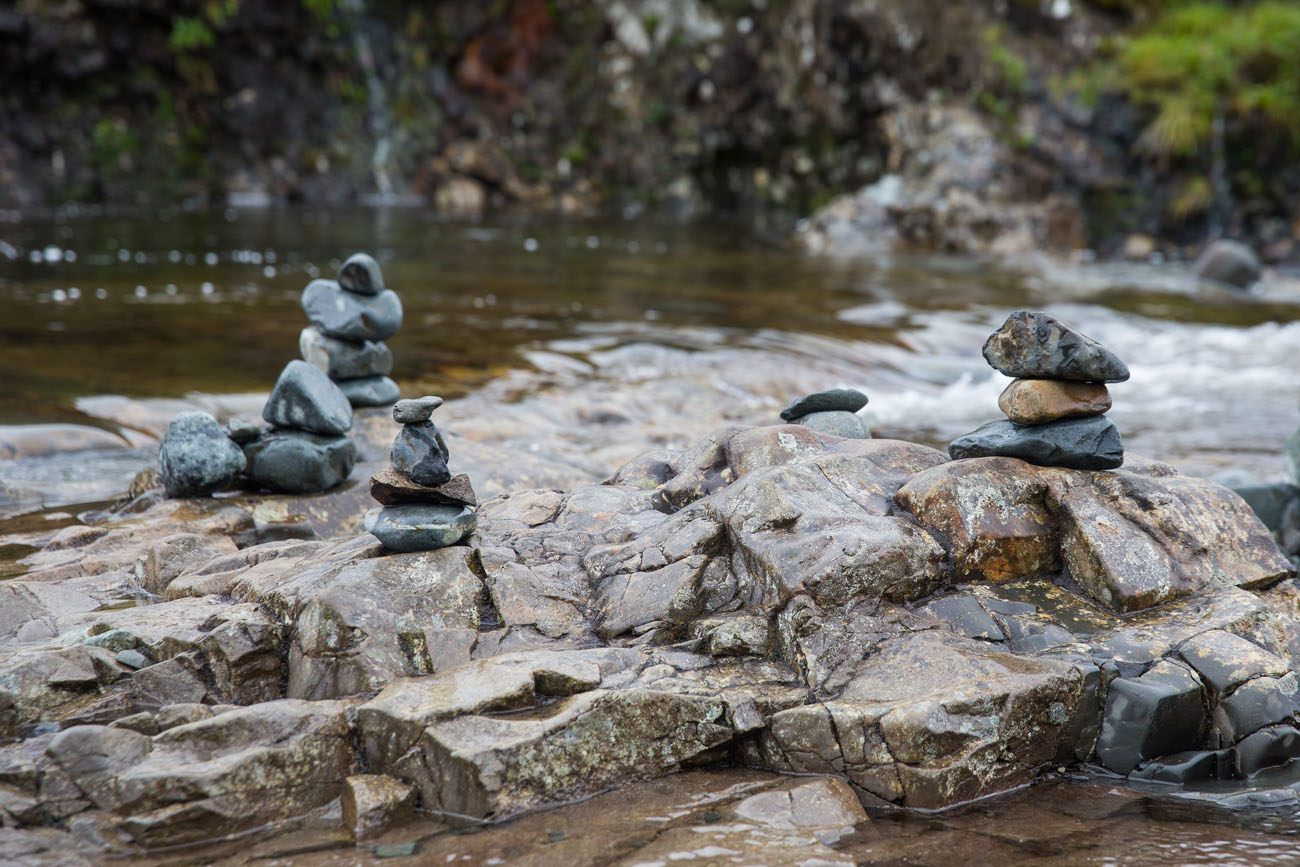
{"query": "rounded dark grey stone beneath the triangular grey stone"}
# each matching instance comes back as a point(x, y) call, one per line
point(300, 463)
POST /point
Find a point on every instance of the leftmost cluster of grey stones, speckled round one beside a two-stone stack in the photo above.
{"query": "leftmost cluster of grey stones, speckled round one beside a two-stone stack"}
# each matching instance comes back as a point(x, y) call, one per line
point(306, 449)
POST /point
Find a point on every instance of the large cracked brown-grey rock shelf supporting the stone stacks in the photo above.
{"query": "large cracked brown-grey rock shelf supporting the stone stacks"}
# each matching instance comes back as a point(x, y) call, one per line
point(922, 630)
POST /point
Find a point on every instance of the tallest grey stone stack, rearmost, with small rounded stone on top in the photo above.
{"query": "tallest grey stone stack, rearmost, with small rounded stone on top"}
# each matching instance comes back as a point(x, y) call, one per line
point(352, 318)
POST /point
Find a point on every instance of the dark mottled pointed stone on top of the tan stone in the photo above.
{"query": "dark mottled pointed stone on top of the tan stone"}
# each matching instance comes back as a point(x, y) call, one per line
point(1035, 346)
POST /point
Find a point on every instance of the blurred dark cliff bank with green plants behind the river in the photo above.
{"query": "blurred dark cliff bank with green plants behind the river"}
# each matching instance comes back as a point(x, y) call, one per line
point(1130, 128)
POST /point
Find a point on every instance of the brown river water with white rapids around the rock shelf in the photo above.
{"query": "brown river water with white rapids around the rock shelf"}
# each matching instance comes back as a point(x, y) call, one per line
point(162, 307)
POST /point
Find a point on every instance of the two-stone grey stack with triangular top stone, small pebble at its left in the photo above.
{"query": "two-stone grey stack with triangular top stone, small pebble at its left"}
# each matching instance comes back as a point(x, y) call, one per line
point(307, 449)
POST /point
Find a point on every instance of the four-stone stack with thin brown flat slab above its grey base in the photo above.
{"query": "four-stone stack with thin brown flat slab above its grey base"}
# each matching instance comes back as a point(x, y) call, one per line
point(424, 506)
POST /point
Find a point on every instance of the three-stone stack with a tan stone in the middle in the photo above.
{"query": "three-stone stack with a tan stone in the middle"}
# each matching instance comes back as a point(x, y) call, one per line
point(1056, 408)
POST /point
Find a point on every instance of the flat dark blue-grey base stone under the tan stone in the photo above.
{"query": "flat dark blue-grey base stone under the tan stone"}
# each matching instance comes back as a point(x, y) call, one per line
point(1076, 444)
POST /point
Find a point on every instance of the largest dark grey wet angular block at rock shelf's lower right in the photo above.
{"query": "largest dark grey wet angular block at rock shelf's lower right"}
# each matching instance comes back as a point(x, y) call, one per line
point(1158, 714)
